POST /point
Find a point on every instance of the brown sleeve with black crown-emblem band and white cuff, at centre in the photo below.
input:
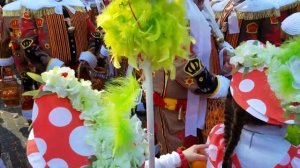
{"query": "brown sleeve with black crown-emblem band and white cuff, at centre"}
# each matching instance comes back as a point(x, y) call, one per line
point(192, 75)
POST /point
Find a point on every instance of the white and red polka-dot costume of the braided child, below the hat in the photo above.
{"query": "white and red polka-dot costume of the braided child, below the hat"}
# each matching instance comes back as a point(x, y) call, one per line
point(259, 147)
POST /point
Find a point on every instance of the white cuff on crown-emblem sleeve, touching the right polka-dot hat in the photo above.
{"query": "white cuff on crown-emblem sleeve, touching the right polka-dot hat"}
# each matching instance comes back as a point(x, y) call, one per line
point(222, 89)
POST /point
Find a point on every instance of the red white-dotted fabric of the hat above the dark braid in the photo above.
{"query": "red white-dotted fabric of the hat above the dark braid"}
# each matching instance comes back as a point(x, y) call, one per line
point(253, 93)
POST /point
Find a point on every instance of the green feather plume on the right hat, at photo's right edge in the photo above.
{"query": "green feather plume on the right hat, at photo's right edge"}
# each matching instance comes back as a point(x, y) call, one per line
point(284, 78)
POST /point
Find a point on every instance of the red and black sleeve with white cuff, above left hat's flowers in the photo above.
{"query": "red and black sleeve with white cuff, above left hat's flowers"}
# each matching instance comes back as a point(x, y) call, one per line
point(30, 43)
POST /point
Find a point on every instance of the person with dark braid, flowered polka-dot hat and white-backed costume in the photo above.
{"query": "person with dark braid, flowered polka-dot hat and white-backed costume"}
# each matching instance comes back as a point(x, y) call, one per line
point(253, 134)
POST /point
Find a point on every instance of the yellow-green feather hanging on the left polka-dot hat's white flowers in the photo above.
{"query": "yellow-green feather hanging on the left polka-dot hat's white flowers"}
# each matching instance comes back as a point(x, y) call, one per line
point(118, 100)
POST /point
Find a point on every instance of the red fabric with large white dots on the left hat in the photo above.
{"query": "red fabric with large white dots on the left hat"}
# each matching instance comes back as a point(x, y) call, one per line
point(58, 138)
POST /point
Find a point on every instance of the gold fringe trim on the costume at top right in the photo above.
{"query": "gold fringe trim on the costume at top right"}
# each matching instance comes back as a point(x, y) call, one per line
point(258, 15)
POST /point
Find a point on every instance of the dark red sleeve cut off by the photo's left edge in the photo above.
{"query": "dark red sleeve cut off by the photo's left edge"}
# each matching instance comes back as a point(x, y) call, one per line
point(6, 58)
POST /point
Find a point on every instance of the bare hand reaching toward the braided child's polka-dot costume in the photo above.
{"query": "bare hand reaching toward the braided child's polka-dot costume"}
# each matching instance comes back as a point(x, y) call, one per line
point(195, 153)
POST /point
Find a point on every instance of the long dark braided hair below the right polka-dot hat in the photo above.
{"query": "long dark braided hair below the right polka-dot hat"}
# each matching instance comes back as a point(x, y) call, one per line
point(233, 129)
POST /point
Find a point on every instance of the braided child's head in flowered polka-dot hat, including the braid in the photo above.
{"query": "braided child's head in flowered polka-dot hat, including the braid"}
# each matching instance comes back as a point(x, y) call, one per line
point(265, 89)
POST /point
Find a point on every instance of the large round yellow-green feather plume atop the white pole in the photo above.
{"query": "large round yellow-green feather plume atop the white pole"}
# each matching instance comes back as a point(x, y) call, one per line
point(155, 29)
